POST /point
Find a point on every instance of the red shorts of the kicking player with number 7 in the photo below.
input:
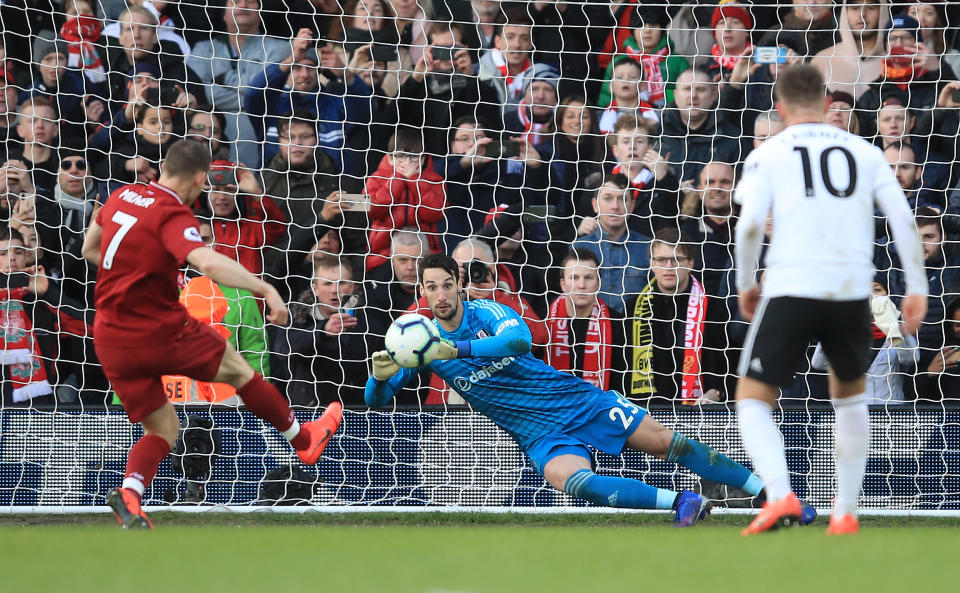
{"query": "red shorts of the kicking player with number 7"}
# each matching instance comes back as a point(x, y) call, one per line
point(134, 371)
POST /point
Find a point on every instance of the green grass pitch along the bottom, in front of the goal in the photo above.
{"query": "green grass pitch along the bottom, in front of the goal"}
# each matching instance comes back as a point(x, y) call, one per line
point(468, 553)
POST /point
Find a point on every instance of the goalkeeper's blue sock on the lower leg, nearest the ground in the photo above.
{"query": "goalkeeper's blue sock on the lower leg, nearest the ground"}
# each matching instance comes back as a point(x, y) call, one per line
point(611, 491)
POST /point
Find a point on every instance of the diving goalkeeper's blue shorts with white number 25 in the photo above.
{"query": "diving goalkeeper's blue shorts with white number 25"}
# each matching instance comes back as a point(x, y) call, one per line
point(606, 427)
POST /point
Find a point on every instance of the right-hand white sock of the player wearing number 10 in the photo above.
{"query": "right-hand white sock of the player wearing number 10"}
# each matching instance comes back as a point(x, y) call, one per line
point(852, 434)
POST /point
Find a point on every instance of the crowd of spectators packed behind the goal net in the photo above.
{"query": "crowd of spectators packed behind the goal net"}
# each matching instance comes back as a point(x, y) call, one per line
point(578, 159)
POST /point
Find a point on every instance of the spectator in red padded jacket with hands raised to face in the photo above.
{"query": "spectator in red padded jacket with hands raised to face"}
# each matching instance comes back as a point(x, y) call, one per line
point(404, 191)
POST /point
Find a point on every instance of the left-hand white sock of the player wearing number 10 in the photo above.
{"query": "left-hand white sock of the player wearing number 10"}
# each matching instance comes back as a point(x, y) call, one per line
point(764, 443)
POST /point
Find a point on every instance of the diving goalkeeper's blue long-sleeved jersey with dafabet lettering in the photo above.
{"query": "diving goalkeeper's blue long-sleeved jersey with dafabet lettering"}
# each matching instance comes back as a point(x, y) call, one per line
point(502, 380)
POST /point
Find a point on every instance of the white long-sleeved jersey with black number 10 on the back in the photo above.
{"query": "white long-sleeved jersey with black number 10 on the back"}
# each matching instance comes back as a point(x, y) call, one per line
point(821, 184)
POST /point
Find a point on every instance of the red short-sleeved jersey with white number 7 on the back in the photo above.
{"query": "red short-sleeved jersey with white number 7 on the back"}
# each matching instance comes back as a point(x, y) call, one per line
point(147, 234)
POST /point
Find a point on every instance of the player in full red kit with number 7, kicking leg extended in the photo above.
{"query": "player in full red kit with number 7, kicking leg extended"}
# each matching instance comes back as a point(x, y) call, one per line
point(140, 238)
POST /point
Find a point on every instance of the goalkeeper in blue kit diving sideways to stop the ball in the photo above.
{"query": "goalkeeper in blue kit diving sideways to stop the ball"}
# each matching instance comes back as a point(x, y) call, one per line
point(555, 417)
